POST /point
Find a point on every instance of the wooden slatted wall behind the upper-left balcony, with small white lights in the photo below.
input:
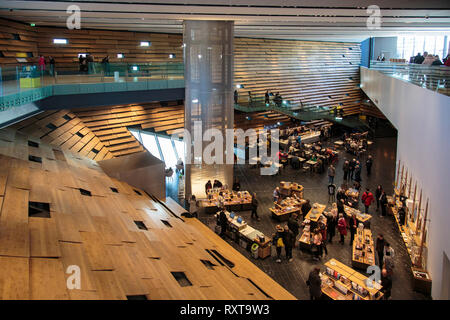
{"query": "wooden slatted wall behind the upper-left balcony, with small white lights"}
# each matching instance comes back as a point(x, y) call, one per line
point(99, 43)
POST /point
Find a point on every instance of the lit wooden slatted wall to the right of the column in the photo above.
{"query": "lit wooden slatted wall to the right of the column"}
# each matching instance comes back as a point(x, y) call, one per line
point(315, 73)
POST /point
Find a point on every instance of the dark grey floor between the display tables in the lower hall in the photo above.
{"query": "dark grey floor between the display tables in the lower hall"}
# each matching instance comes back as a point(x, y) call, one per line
point(293, 275)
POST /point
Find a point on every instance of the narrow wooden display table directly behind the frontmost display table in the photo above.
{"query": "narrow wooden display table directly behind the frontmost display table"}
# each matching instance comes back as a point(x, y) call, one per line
point(363, 254)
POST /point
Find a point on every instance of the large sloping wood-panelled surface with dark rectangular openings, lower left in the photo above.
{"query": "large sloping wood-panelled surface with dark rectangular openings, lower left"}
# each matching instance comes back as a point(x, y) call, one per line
point(96, 229)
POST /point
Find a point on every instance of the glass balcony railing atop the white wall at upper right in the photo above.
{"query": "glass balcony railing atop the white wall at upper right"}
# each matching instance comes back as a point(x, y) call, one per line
point(436, 78)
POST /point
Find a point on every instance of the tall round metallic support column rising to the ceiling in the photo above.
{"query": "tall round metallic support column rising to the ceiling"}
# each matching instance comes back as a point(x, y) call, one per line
point(208, 63)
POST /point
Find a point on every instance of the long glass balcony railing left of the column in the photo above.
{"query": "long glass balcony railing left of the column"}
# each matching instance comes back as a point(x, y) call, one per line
point(29, 82)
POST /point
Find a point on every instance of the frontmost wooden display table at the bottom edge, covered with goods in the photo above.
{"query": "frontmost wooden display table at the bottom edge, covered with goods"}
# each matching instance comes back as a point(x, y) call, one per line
point(340, 282)
